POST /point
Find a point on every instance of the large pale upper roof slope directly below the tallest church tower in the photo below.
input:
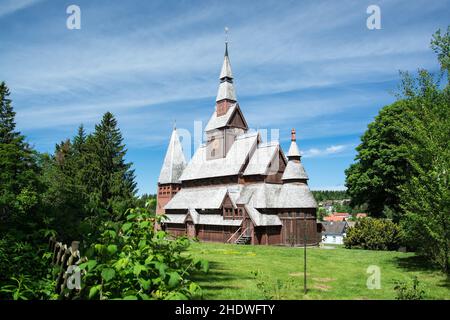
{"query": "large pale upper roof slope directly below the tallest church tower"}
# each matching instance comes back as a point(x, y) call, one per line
point(200, 168)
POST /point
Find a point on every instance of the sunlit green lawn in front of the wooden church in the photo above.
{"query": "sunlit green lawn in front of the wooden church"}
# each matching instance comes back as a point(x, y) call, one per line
point(331, 273)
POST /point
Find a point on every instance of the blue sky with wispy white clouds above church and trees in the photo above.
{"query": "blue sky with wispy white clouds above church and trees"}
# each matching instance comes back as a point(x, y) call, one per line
point(312, 65)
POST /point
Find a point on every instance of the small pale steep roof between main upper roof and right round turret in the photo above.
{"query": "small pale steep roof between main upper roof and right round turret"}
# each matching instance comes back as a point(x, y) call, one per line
point(263, 156)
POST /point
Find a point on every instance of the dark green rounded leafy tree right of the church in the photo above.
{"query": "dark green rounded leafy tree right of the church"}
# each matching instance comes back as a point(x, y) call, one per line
point(380, 167)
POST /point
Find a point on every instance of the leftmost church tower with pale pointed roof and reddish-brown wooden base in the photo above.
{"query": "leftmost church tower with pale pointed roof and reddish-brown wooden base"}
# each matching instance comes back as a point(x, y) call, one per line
point(172, 168)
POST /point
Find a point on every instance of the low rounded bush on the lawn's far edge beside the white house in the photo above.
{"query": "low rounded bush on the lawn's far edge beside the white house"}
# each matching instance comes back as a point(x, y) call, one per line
point(373, 234)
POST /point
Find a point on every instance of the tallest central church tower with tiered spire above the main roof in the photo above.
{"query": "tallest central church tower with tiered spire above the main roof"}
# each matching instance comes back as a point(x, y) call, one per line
point(227, 121)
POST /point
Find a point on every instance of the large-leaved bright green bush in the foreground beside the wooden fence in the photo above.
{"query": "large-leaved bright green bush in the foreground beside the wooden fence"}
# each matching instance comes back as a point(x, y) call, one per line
point(133, 261)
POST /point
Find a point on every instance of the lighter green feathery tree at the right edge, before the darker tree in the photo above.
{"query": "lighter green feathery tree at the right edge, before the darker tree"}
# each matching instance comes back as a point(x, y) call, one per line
point(425, 197)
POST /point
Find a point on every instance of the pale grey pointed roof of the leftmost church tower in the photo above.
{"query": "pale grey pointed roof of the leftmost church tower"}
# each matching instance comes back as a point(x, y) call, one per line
point(174, 161)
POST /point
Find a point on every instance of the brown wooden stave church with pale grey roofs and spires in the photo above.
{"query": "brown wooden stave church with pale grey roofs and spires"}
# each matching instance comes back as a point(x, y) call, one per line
point(236, 189)
